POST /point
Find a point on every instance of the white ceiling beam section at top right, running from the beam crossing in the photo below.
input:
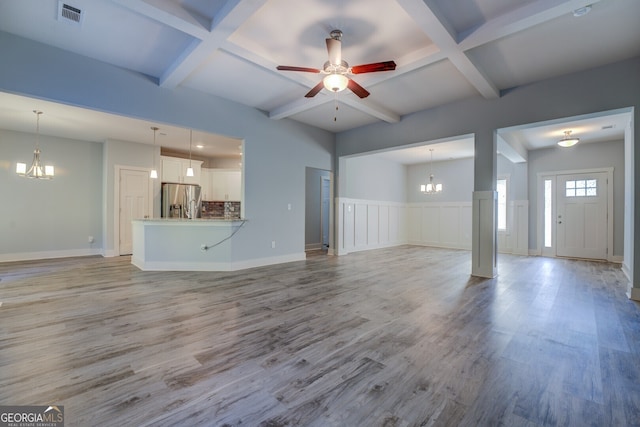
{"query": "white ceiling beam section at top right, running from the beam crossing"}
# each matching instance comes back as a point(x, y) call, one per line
point(518, 20)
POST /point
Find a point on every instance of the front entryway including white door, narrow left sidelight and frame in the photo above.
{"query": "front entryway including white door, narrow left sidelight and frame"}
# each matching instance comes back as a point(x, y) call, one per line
point(576, 215)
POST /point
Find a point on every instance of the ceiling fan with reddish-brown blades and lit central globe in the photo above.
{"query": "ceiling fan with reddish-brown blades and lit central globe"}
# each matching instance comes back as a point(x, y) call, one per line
point(336, 70)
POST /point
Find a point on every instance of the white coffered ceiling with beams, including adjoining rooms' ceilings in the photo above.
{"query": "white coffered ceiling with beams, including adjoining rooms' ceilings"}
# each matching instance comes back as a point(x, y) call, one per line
point(445, 50)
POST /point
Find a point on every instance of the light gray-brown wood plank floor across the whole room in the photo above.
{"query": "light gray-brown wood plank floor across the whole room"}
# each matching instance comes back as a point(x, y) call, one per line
point(393, 337)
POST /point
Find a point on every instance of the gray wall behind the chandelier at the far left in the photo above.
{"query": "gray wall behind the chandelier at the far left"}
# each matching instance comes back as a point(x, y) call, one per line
point(41, 216)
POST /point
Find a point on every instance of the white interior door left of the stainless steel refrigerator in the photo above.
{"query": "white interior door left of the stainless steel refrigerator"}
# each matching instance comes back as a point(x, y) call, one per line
point(135, 203)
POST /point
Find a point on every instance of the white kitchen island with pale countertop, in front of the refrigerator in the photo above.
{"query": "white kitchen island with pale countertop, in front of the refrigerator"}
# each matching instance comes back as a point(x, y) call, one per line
point(171, 244)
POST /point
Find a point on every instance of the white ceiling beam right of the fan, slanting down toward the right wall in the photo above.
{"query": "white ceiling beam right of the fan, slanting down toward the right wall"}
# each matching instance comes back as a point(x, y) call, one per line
point(439, 31)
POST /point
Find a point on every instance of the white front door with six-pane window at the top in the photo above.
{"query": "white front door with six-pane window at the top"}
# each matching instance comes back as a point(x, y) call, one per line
point(581, 226)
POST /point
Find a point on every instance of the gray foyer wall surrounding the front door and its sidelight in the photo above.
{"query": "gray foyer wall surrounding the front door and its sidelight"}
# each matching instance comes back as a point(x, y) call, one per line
point(581, 156)
